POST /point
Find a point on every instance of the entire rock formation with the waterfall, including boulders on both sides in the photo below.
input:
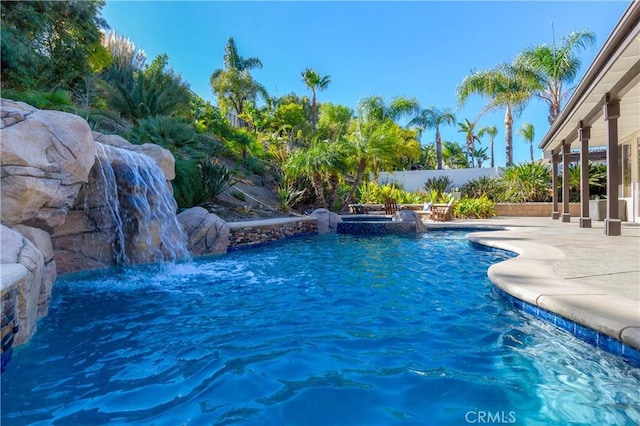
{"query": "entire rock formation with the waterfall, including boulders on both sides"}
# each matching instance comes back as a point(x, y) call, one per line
point(57, 215)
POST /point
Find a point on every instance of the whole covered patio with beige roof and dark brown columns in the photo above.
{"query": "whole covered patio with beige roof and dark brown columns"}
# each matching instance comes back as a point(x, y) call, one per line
point(604, 112)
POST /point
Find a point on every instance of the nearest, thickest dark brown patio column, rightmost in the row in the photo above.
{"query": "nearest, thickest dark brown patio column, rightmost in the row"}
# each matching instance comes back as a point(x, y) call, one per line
point(612, 224)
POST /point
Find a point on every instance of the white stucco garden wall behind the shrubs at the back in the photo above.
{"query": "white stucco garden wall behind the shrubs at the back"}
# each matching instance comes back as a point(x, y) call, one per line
point(414, 180)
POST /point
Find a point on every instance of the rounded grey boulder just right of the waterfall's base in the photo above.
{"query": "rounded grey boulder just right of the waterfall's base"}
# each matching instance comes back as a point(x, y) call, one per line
point(206, 232)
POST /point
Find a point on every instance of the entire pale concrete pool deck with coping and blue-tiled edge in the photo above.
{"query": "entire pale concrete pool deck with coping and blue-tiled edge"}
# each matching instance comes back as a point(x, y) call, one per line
point(571, 276)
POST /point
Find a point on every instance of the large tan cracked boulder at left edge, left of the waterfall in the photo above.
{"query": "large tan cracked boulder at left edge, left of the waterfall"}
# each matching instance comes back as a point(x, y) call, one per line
point(45, 156)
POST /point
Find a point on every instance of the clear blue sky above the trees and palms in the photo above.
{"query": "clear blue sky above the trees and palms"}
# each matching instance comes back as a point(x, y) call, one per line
point(420, 49)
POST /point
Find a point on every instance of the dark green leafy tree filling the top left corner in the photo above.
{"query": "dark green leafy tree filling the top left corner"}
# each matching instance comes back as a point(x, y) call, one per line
point(48, 44)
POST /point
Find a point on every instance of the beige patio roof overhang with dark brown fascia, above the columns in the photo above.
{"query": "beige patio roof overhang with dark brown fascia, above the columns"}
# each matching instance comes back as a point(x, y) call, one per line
point(615, 71)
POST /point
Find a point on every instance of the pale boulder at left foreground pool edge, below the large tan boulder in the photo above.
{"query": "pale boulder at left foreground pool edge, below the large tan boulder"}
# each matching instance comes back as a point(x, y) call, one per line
point(16, 248)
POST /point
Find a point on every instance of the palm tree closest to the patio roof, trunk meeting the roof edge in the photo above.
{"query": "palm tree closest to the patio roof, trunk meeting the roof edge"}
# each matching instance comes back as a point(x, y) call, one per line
point(556, 65)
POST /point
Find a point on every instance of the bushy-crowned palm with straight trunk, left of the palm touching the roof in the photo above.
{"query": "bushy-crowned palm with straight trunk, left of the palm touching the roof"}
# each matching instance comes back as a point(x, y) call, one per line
point(506, 86)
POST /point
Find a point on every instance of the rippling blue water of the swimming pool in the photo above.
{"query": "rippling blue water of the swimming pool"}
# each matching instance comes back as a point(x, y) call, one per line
point(315, 331)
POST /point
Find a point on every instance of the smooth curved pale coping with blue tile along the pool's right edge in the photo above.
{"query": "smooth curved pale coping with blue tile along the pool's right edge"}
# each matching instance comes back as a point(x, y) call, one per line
point(528, 281)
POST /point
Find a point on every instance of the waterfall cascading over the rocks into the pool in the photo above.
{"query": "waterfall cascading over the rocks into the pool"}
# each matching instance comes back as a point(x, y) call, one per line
point(130, 202)
